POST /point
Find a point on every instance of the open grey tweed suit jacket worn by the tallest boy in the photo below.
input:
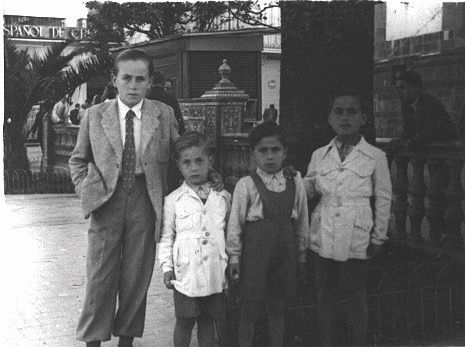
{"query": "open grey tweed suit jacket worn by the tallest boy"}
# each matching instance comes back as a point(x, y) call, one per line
point(96, 161)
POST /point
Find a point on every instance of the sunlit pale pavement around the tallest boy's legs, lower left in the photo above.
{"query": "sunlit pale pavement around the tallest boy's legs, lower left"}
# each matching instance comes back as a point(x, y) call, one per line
point(42, 262)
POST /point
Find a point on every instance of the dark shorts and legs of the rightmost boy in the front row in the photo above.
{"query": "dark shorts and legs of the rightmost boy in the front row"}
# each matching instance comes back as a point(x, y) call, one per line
point(342, 280)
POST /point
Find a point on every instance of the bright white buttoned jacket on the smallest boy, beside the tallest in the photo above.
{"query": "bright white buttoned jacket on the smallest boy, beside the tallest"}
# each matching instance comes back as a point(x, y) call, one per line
point(193, 241)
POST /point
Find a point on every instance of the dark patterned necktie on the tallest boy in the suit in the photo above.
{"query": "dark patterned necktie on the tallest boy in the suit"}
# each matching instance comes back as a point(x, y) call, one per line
point(129, 154)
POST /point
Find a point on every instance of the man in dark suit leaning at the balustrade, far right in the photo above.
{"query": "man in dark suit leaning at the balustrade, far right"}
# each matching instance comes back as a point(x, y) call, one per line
point(425, 118)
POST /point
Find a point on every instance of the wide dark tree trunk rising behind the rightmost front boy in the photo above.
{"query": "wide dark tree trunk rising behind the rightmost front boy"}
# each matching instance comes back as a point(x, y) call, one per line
point(326, 46)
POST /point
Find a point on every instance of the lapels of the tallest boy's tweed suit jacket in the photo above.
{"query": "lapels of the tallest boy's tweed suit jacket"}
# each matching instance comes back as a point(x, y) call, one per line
point(112, 129)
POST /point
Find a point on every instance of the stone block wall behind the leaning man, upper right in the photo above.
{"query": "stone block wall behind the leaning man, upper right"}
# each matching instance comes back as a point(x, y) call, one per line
point(439, 57)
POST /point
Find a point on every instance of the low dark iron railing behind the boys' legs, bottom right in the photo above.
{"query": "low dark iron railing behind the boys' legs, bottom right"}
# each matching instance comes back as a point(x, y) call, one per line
point(412, 300)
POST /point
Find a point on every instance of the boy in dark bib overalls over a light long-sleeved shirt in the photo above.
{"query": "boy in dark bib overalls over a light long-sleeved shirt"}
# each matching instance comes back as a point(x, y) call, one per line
point(266, 235)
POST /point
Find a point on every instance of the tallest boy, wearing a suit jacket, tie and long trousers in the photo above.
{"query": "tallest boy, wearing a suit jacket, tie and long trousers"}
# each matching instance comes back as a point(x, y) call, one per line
point(119, 168)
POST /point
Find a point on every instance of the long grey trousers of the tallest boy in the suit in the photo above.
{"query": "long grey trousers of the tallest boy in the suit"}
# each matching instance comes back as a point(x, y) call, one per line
point(120, 260)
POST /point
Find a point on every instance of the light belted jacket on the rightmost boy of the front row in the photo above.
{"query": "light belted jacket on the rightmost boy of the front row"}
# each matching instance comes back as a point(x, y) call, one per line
point(342, 223)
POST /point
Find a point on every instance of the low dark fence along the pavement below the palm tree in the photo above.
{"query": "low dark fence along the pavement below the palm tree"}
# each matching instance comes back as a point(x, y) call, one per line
point(28, 182)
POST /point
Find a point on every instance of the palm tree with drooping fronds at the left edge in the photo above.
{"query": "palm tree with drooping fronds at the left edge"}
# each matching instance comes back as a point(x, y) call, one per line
point(31, 80)
